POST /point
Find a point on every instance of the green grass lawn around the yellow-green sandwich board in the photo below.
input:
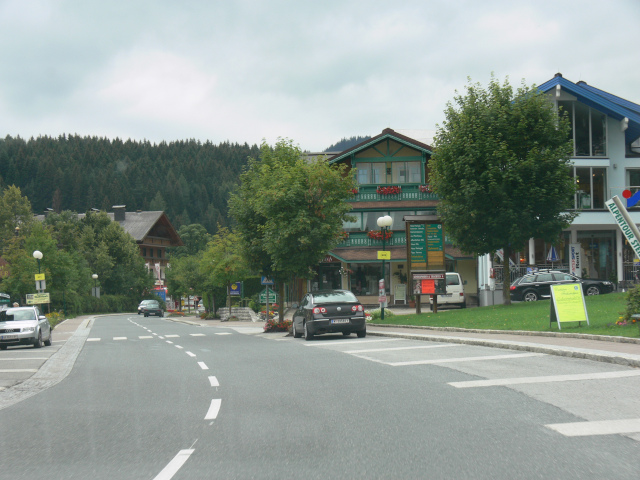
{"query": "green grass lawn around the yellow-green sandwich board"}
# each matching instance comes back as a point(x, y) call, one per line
point(603, 311)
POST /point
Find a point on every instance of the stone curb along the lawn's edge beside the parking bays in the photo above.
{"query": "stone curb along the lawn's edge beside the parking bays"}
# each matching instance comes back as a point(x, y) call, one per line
point(595, 355)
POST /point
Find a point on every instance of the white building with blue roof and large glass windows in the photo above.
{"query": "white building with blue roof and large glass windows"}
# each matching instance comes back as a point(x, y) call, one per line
point(605, 162)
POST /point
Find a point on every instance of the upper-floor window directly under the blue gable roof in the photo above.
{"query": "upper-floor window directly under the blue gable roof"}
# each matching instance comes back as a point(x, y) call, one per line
point(588, 127)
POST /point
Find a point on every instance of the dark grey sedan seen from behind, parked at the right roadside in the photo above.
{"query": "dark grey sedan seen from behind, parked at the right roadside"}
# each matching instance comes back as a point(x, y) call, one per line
point(329, 311)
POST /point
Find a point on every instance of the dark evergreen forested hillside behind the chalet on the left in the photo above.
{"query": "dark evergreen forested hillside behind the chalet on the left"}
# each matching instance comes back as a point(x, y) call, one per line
point(189, 180)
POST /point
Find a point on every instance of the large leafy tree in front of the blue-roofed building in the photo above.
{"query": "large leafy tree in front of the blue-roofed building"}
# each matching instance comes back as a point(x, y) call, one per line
point(501, 170)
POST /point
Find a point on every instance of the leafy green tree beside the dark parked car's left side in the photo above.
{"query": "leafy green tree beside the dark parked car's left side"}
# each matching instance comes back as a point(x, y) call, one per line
point(289, 212)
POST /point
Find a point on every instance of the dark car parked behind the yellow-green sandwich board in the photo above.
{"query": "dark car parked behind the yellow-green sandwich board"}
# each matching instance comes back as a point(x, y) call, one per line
point(536, 285)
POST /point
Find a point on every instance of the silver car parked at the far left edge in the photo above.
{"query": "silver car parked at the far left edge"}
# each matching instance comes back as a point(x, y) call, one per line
point(24, 326)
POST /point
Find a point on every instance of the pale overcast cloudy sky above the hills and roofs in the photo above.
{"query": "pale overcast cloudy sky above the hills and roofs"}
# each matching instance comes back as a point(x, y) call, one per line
point(313, 72)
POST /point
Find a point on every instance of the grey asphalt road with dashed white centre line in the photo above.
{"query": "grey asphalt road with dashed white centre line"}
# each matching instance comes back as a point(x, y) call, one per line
point(151, 398)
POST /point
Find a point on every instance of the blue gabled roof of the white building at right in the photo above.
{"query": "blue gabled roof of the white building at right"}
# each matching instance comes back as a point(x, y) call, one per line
point(613, 106)
